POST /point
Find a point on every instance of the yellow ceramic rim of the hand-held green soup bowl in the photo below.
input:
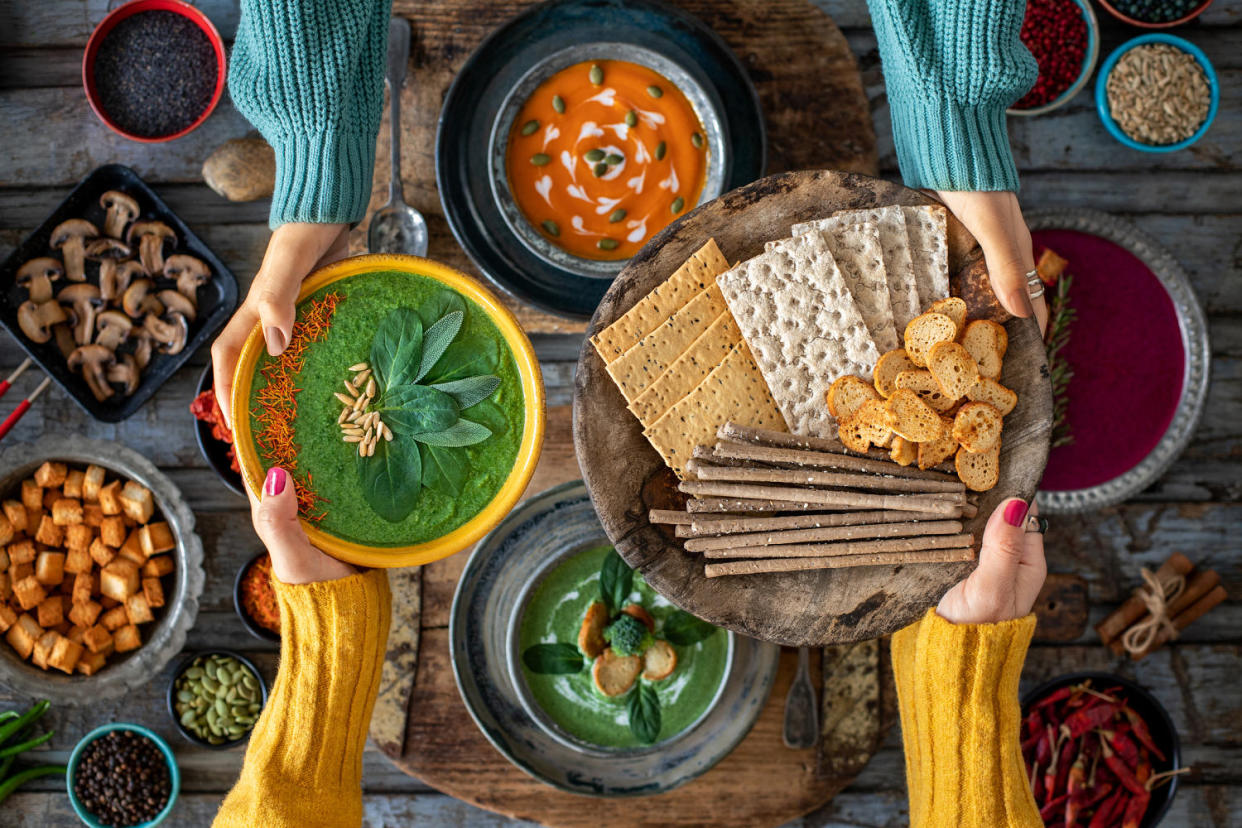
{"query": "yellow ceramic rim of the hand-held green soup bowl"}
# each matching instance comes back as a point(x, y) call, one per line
point(532, 435)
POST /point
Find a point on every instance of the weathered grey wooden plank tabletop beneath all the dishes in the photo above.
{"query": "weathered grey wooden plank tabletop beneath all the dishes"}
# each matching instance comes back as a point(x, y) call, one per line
point(1192, 202)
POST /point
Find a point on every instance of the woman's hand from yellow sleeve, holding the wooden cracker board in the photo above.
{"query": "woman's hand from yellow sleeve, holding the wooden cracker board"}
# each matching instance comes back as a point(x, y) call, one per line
point(1010, 573)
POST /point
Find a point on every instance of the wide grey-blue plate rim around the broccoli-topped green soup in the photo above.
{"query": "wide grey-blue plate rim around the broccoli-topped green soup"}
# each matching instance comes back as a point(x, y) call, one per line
point(497, 578)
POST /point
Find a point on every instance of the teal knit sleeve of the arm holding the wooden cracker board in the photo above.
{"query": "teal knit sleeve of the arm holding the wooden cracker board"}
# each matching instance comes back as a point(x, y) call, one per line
point(952, 68)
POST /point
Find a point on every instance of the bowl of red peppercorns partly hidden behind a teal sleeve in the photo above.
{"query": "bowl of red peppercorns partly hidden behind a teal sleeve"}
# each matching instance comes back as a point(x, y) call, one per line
point(1064, 37)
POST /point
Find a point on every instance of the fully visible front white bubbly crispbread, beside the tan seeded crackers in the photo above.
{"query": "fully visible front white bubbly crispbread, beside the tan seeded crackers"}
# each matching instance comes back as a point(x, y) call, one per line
point(803, 327)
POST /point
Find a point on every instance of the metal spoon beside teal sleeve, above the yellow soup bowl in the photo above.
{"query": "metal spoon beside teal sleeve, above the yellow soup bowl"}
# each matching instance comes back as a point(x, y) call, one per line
point(397, 228)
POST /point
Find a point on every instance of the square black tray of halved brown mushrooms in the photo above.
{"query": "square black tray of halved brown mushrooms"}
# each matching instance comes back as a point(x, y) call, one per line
point(114, 294)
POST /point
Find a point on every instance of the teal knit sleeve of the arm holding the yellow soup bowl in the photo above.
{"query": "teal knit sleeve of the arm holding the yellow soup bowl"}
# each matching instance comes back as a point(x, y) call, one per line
point(310, 76)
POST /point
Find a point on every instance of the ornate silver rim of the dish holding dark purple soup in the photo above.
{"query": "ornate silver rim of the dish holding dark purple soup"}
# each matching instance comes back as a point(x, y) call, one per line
point(1193, 330)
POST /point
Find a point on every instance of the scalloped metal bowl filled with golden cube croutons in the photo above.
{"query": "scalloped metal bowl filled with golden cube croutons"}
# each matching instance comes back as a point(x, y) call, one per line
point(100, 570)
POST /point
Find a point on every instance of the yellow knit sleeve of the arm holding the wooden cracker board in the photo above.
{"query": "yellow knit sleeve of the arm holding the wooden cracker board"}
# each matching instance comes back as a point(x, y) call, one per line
point(957, 691)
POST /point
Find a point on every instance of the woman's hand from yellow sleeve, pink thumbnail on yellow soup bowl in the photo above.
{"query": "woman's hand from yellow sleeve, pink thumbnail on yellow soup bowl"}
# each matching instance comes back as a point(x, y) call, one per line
point(276, 522)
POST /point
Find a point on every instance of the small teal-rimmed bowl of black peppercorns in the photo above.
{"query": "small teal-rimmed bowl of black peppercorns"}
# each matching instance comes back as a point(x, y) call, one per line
point(81, 778)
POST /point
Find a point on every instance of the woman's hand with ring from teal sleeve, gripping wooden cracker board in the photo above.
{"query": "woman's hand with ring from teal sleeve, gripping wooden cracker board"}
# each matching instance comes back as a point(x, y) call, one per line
point(995, 220)
